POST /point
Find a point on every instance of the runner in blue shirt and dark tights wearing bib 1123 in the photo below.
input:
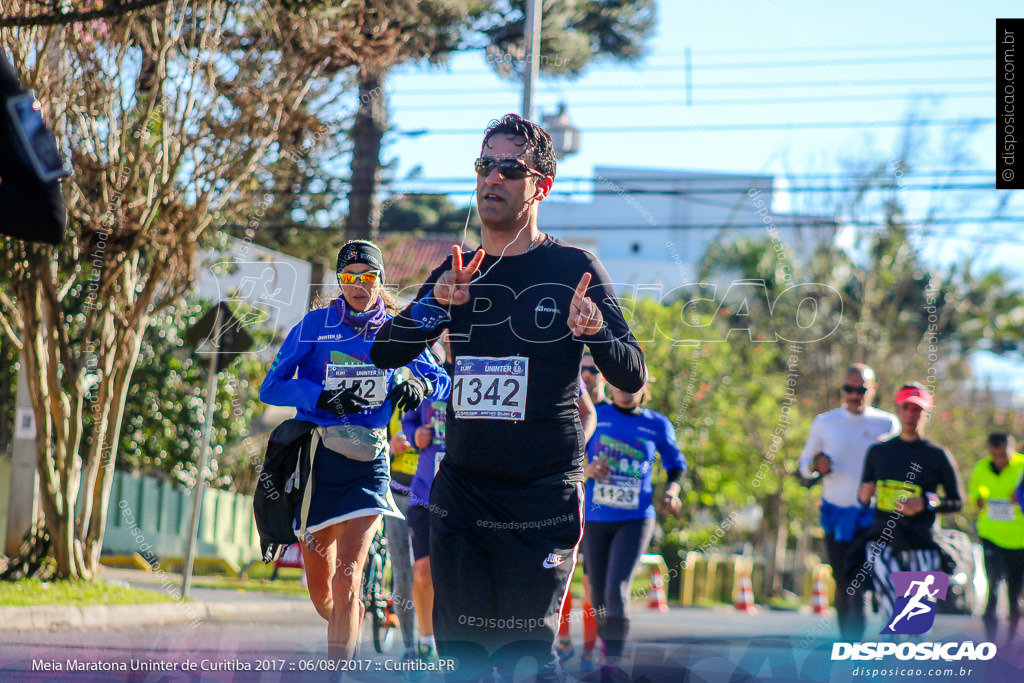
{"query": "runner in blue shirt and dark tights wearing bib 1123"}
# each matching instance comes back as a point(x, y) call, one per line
point(620, 510)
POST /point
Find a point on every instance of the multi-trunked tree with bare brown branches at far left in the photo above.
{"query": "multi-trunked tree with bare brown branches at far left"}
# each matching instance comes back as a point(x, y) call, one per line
point(174, 116)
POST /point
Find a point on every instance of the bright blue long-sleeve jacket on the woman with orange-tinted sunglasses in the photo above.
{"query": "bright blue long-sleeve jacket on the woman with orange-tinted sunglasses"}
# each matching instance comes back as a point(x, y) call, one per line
point(321, 346)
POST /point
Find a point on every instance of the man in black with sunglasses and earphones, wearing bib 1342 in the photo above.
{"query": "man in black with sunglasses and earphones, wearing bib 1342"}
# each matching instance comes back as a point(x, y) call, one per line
point(507, 502)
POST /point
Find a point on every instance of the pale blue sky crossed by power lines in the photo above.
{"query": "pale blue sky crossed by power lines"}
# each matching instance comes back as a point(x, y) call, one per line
point(758, 63)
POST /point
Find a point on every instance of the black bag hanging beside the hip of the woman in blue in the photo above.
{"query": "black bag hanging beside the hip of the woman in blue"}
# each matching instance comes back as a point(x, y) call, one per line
point(283, 481)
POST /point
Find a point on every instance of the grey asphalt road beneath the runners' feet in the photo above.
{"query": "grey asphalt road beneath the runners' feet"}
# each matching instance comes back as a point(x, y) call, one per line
point(690, 646)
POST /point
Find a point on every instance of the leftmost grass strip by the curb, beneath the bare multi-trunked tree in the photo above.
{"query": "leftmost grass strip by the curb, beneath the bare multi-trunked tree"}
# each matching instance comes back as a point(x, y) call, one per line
point(35, 592)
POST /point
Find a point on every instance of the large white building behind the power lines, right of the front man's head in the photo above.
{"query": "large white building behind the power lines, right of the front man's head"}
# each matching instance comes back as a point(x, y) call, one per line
point(652, 228)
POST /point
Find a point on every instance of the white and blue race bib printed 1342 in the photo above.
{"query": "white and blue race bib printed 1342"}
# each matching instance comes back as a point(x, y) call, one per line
point(490, 389)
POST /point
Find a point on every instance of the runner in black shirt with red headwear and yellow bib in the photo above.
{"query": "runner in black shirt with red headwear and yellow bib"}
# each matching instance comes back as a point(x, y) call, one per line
point(905, 475)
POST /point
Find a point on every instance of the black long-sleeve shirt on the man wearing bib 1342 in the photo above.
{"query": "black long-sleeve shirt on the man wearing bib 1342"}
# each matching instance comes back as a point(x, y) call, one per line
point(520, 310)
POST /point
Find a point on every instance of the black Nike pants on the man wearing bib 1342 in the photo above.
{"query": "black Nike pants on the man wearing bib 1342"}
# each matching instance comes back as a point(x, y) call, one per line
point(502, 557)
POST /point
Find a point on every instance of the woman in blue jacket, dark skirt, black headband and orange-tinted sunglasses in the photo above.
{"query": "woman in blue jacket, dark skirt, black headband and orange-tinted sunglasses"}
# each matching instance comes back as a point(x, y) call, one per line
point(324, 370)
